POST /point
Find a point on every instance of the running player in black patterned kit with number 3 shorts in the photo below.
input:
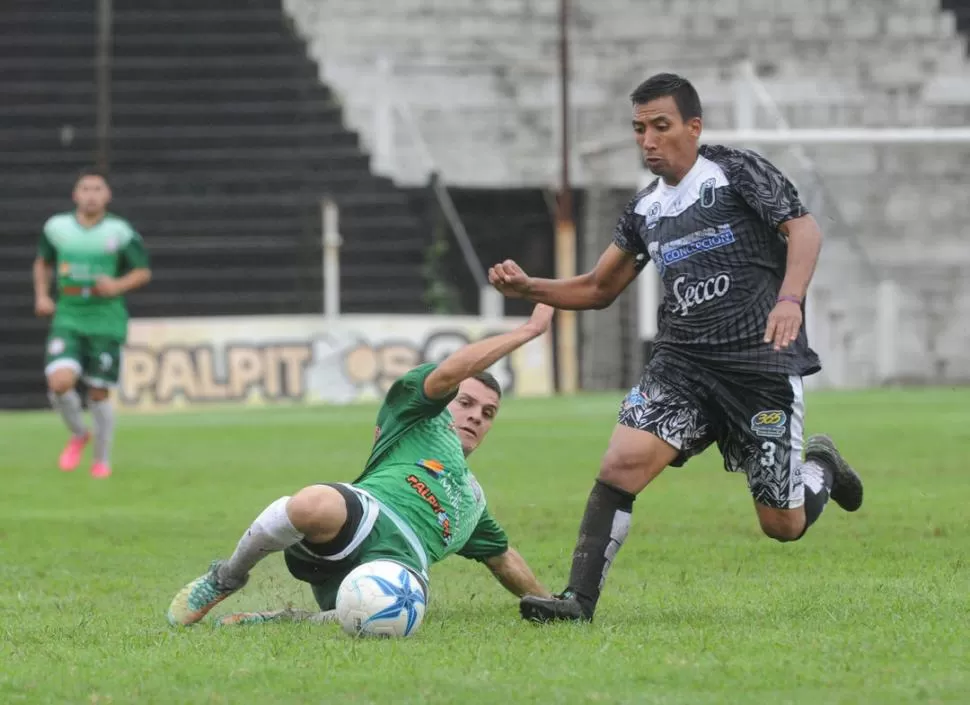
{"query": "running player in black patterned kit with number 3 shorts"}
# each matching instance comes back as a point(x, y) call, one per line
point(736, 251)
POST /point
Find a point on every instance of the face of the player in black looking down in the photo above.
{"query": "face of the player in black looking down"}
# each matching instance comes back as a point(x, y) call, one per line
point(667, 143)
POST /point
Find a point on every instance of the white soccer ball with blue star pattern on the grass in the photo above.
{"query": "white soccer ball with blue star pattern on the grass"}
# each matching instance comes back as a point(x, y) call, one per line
point(380, 598)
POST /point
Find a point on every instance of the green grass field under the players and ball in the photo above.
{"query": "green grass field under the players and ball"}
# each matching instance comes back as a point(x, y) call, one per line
point(699, 608)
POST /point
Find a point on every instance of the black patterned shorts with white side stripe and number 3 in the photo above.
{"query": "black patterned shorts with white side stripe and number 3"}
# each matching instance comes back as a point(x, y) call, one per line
point(756, 419)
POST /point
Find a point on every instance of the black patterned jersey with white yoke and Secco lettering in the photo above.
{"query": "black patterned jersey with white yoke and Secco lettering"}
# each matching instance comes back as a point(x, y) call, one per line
point(715, 240)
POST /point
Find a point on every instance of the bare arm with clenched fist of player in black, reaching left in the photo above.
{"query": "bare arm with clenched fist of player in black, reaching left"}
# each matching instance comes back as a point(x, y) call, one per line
point(596, 289)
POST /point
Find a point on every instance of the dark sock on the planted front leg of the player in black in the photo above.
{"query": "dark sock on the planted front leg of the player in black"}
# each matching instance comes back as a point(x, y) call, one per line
point(605, 525)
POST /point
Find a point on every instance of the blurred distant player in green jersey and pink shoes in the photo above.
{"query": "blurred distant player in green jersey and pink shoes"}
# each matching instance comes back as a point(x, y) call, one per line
point(95, 259)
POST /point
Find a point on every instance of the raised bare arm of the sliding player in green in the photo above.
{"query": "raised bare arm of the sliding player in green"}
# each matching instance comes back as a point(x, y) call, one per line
point(479, 356)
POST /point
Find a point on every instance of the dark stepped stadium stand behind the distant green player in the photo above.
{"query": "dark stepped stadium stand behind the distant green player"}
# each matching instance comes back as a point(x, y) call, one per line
point(223, 142)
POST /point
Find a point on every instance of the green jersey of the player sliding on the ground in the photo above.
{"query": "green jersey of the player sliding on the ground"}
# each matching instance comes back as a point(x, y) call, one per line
point(417, 468)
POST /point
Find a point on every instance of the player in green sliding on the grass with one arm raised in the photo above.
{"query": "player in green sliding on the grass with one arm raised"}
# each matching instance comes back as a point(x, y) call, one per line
point(416, 502)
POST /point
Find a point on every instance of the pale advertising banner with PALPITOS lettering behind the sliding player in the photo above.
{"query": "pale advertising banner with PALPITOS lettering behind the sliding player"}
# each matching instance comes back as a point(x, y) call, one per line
point(189, 362)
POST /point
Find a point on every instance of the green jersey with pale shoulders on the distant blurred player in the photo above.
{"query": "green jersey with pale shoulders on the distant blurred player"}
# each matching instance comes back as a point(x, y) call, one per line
point(80, 255)
